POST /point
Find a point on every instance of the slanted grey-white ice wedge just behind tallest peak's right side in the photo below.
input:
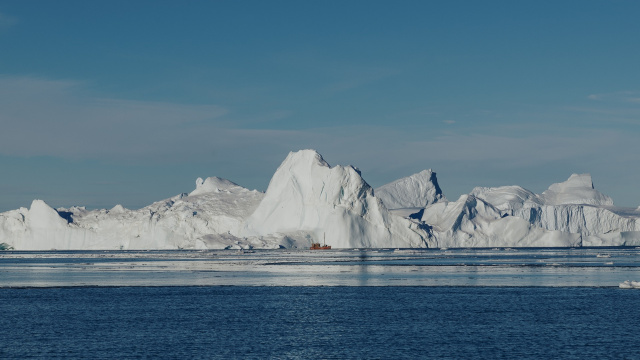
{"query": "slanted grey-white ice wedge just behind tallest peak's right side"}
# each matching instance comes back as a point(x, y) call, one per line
point(416, 191)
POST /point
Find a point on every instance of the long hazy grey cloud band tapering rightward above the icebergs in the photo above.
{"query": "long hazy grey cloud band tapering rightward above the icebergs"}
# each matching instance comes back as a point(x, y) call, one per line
point(57, 118)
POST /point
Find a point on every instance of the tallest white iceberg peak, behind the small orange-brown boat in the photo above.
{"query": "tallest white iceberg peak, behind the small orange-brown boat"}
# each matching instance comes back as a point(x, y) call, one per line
point(308, 199)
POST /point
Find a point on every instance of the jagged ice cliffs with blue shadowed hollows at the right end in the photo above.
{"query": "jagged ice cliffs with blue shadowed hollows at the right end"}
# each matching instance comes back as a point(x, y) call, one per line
point(571, 213)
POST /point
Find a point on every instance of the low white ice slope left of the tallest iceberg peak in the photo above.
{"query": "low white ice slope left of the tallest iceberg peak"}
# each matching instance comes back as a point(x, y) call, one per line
point(209, 217)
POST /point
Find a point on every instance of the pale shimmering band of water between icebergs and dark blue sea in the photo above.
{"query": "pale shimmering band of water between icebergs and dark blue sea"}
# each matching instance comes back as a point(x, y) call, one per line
point(358, 267)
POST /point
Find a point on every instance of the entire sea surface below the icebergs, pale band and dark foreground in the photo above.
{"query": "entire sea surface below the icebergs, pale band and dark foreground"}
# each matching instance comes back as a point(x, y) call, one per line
point(345, 304)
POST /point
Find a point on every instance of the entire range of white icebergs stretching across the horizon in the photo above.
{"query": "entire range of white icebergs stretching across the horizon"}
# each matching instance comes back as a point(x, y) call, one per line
point(308, 200)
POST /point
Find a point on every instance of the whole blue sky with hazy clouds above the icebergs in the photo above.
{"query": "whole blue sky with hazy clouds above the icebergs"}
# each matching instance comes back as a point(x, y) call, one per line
point(128, 102)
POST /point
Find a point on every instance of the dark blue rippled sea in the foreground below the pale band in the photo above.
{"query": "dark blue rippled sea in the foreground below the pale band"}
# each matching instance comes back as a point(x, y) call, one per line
point(320, 322)
